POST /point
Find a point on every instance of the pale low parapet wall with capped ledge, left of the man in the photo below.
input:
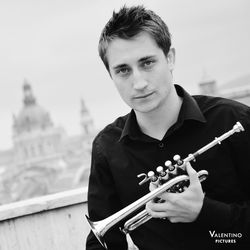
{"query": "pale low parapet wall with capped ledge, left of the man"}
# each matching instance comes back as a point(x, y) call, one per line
point(52, 222)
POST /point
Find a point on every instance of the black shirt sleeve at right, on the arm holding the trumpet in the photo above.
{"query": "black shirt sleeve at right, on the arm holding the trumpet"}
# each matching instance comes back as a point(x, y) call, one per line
point(234, 217)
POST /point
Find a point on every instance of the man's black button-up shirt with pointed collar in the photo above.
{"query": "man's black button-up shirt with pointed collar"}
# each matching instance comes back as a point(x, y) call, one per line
point(121, 152)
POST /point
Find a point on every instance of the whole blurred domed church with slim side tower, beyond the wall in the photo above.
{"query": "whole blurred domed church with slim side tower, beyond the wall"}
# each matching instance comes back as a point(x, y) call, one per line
point(44, 159)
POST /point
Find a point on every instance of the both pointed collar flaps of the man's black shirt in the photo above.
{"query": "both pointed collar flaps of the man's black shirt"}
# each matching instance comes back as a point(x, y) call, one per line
point(189, 111)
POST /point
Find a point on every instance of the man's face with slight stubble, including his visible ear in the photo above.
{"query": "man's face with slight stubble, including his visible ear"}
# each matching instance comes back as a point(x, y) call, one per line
point(141, 72)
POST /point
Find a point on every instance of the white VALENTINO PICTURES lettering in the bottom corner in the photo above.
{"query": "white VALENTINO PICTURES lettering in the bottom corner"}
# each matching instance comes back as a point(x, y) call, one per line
point(224, 237)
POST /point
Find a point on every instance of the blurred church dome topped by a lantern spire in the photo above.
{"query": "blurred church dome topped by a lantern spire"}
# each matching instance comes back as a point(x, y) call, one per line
point(32, 116)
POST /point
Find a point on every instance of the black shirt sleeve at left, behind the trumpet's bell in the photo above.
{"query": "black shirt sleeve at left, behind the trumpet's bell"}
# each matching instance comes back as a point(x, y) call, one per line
point(103, 200)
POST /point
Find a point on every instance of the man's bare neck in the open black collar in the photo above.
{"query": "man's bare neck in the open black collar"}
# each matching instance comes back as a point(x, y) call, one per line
point(157, 122)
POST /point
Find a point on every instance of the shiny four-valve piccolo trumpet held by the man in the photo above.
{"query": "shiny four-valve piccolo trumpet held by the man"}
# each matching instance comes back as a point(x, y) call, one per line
point(174, 179)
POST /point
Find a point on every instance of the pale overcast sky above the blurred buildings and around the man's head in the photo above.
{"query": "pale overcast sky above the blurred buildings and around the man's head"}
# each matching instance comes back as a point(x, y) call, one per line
point(53, 45)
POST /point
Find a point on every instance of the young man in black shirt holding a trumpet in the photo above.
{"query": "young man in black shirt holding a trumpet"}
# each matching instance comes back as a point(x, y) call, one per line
point(165, 120)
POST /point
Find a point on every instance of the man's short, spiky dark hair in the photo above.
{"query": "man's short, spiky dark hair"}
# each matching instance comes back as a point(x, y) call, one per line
point(129, 22)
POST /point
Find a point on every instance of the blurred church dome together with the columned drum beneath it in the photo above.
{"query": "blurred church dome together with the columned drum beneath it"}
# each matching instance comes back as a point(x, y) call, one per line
point(34, 136)
